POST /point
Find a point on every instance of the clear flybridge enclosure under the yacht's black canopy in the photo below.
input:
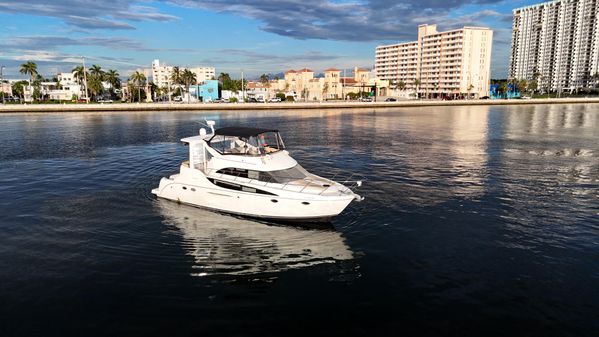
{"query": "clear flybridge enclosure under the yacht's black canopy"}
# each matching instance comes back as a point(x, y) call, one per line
point(260, 144)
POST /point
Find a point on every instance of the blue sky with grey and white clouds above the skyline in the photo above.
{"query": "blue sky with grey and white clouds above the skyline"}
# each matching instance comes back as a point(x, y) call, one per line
point(267, 36)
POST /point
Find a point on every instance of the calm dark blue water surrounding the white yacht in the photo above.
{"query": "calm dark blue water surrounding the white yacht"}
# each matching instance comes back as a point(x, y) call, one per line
point(478, 221)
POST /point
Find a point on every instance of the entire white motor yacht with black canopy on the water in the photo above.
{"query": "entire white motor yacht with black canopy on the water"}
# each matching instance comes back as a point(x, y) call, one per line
point(247, 171)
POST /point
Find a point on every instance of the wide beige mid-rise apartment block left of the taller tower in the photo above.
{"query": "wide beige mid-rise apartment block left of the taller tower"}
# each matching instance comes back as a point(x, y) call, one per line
point(455, 63)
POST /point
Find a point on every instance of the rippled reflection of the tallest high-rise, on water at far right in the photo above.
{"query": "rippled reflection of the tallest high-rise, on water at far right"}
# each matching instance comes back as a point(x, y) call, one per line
point(551, 143)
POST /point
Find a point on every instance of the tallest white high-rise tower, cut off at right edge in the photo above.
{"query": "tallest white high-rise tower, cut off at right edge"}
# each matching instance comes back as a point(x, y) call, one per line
point(556, 44)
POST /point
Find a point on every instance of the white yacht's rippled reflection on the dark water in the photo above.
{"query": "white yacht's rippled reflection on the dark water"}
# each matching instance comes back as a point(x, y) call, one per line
point(223, 244)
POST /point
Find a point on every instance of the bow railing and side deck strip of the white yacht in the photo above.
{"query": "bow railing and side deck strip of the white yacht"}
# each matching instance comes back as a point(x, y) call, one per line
point(348, 180)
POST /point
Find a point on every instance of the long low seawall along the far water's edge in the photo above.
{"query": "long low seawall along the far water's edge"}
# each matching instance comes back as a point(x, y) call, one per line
point(100, 107)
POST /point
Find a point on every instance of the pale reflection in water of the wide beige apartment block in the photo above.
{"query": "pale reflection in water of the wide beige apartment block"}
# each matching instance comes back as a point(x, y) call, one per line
point(434, 155)
